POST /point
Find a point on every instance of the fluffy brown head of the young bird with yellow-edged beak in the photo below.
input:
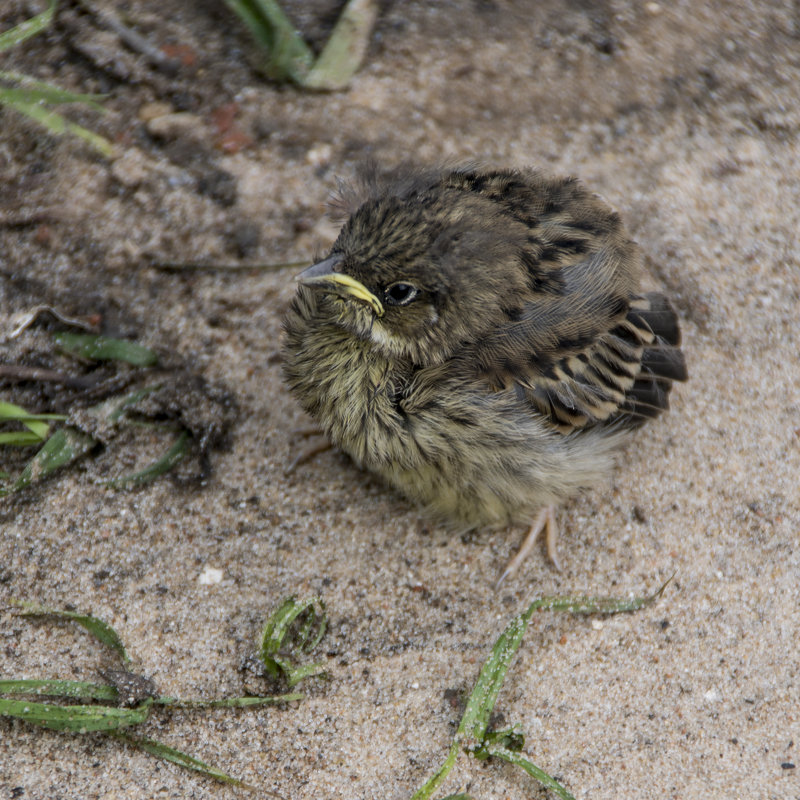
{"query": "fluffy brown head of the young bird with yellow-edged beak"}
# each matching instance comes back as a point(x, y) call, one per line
point(418, 279)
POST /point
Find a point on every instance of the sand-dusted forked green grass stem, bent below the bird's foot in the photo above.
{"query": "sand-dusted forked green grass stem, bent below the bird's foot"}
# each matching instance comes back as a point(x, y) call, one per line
point(472, 730)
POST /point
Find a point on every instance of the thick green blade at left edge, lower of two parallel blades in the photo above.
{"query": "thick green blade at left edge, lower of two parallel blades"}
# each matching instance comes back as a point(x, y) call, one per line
point(77, 719)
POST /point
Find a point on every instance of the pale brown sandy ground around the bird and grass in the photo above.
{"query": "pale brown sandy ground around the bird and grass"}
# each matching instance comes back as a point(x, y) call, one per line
point(685, 116)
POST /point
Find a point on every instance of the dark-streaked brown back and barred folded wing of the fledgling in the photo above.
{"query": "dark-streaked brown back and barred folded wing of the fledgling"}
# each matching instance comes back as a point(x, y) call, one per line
point(583, 347)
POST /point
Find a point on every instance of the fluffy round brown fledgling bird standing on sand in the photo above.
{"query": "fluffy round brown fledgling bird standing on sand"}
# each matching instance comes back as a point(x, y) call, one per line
point(477, 337)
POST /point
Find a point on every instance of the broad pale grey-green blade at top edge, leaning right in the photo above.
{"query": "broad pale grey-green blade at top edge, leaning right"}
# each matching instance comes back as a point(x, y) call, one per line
point(344, 51)
